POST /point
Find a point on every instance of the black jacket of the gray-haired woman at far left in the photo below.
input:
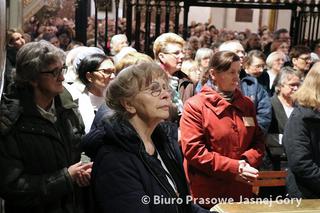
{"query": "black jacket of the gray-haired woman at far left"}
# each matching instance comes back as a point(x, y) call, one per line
point(35, 154)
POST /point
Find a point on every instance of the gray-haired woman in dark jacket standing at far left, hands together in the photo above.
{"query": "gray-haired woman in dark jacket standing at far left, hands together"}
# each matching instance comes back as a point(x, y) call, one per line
point(40, 132)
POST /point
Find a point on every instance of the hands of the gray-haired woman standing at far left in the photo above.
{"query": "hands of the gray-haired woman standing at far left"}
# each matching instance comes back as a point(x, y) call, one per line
point(81, 173)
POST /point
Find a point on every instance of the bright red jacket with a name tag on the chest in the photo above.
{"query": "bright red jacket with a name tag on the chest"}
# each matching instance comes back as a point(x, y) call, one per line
point(215, 135)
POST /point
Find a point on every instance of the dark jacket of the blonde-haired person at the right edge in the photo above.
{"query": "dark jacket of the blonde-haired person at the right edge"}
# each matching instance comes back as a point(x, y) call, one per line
point(302, 144)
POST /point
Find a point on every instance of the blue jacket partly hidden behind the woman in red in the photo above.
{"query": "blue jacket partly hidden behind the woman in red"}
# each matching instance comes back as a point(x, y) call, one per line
point(259, 96)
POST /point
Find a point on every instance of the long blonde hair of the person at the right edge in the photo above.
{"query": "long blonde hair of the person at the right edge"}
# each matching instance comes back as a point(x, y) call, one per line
point(308, 95)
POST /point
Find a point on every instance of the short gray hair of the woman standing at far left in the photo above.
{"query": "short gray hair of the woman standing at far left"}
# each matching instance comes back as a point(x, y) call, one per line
point(33, 58)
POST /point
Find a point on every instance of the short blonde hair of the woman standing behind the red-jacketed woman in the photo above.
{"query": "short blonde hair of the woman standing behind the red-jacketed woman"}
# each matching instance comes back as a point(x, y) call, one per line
point(163, 40)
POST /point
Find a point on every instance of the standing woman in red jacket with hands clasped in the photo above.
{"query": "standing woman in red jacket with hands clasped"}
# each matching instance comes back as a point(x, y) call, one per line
point(221, 141)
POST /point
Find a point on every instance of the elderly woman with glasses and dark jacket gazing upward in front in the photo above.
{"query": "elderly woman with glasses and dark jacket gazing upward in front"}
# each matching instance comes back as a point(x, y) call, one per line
point(135, 164)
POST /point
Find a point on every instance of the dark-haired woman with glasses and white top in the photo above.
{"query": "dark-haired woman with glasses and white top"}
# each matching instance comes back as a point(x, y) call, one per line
point(95, 72)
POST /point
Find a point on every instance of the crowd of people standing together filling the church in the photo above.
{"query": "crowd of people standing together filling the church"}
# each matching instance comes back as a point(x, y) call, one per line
point(89, 130)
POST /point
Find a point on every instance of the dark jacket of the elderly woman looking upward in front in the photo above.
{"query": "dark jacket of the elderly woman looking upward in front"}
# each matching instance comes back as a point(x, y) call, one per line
point(123, 173)
